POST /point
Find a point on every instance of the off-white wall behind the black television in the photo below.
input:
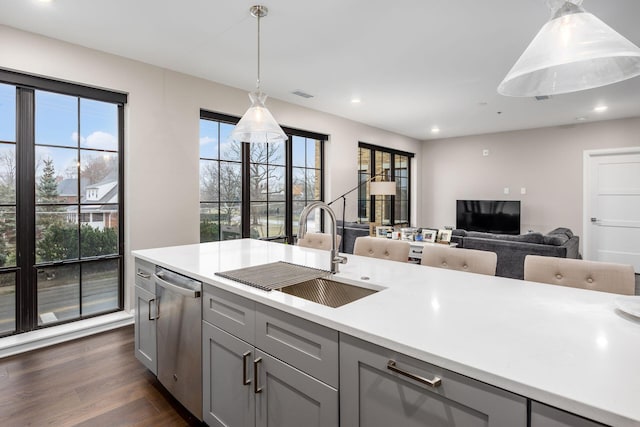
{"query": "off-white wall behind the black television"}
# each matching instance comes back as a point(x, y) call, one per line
point(547, 162)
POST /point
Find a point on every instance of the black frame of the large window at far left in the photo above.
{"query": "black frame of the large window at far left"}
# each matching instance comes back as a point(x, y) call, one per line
point(26, 268)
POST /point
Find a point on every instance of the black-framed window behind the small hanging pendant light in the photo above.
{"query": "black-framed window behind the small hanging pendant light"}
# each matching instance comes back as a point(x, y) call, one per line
point(255, 190)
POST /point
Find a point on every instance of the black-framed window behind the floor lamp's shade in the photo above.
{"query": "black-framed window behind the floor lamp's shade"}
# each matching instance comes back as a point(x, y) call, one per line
point(381, 163)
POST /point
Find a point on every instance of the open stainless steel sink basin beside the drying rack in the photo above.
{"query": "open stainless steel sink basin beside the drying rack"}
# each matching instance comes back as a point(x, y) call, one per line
point(327, 292)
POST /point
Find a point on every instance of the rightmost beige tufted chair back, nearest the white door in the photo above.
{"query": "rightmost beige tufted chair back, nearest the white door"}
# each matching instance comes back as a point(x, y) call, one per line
point(578, 273)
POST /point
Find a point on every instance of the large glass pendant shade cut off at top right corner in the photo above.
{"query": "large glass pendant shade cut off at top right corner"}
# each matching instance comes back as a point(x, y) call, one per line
point(573, 51)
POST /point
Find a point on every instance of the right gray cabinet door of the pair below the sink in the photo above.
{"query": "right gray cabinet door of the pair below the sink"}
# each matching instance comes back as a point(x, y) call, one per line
point(291, 398)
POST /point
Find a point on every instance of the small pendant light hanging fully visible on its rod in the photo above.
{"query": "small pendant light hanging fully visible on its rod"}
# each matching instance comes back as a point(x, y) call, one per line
point(257, 124)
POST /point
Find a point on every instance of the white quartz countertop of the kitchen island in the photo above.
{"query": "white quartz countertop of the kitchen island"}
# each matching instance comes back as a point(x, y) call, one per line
point(568, 348)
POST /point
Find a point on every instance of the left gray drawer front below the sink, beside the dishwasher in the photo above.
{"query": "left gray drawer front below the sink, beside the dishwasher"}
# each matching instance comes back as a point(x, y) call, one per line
point(229, 312)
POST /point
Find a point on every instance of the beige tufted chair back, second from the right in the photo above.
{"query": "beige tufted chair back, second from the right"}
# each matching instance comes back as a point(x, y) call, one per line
point(471, 260)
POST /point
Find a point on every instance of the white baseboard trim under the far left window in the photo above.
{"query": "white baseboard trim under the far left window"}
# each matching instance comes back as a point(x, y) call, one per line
point(28, 341)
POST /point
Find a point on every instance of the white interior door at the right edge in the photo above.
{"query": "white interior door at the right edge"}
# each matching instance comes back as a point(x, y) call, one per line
point(612, 206)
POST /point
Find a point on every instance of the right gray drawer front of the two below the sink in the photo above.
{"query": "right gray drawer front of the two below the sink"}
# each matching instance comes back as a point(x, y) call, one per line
point(310, 347)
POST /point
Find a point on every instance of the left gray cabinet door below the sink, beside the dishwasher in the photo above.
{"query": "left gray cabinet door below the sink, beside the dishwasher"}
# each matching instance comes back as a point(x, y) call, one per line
point(228, 397)
